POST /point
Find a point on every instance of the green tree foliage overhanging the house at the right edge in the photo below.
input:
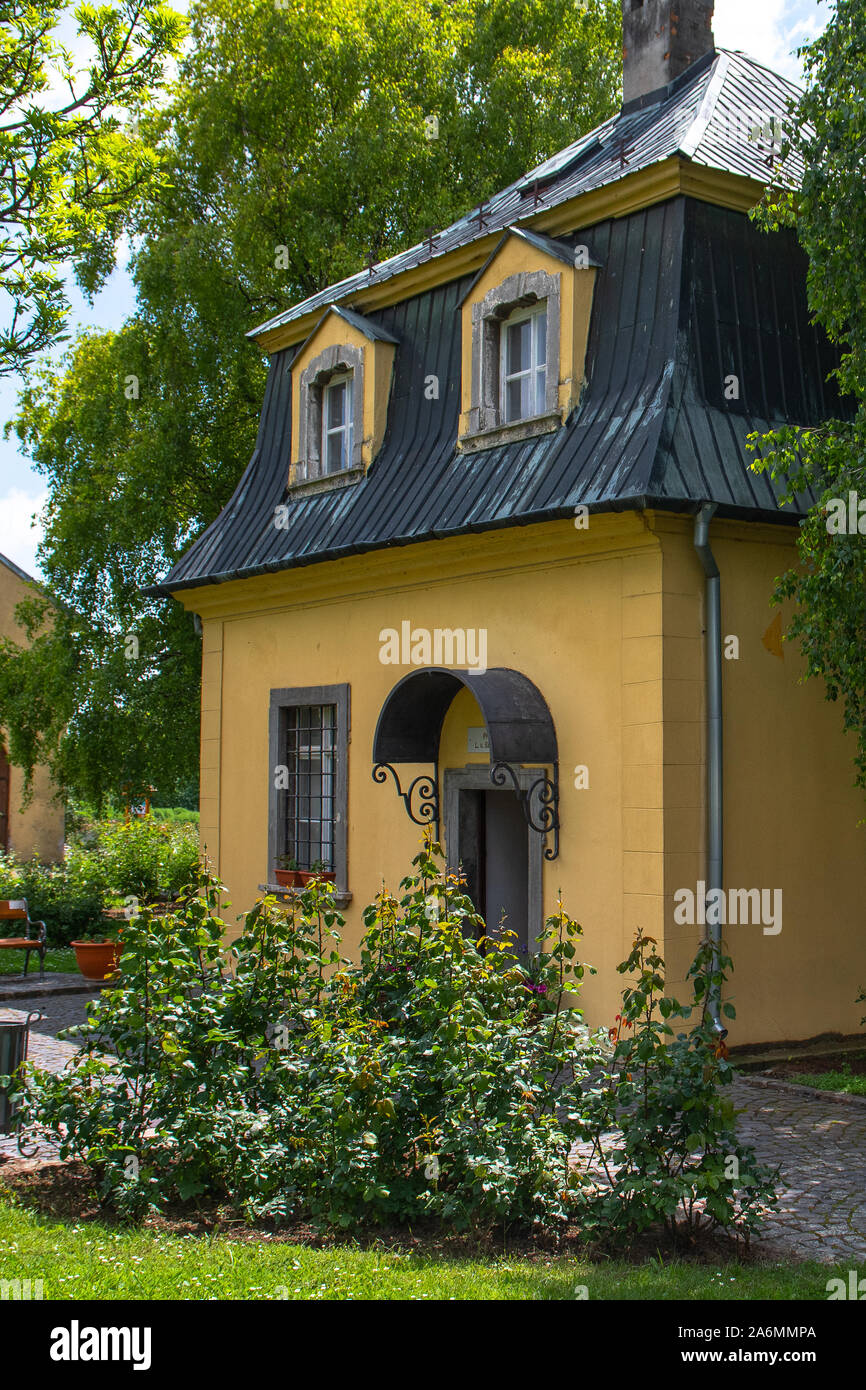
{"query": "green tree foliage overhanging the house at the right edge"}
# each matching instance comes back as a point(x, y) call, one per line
point(829, 130)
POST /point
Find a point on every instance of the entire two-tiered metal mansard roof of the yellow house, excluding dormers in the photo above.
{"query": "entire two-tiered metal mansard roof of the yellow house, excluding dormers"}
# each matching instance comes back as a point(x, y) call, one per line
point(690, 295)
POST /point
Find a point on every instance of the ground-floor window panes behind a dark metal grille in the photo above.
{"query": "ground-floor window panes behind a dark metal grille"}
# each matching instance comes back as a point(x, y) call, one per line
point(311, 796)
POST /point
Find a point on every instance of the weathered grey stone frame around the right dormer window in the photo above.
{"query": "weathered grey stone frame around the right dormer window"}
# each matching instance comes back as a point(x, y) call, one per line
point(522, 290)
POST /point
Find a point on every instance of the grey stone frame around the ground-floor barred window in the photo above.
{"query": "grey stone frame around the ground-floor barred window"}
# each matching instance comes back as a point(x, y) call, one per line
point(281, 701)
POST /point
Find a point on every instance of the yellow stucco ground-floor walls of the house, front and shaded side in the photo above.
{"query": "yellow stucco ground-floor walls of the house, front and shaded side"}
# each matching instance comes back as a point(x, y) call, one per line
point(608, 623)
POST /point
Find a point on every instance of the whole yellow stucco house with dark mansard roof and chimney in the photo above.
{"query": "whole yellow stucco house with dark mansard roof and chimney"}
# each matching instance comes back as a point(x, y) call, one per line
point(500, 565)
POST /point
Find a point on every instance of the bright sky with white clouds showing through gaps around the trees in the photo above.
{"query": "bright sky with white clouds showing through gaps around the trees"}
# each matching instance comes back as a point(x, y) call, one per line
point(769, 31)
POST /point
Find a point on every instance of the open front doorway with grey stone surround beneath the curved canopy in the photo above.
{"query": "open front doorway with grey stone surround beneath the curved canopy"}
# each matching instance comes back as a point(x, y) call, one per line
point(490, 843)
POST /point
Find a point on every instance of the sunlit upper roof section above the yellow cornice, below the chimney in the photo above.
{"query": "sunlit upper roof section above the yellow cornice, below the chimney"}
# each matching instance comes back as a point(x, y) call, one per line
point(714, 115)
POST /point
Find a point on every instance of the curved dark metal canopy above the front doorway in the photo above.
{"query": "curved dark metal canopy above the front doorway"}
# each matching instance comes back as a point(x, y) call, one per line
point(515, 712)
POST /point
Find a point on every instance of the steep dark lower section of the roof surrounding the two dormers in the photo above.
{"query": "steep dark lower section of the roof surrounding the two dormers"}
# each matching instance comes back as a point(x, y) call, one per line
point(689, 297)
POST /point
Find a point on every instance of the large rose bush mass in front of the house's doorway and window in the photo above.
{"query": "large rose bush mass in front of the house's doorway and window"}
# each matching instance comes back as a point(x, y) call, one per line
point(426, 1081)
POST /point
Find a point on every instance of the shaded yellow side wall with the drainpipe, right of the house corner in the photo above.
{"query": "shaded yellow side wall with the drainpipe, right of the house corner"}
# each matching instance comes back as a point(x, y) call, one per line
point(792, 810)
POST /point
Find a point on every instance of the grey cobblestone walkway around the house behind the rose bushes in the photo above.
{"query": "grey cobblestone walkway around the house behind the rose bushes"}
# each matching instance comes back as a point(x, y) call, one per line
point(819, 1143)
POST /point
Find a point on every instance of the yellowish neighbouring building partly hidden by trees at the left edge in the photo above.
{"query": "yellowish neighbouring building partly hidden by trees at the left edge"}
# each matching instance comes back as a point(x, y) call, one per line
point(37, 829)
